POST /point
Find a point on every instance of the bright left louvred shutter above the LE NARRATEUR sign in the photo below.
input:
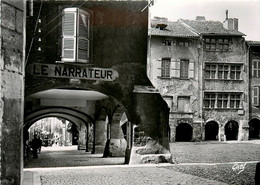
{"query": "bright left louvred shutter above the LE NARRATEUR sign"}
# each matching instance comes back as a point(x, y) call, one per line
point(69, 35)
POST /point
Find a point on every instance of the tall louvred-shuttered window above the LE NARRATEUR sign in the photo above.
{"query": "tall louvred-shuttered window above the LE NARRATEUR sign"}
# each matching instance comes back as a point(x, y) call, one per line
point(75, 35)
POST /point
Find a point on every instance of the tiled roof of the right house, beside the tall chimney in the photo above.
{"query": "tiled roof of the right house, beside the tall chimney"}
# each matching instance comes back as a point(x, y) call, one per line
point(209, 28)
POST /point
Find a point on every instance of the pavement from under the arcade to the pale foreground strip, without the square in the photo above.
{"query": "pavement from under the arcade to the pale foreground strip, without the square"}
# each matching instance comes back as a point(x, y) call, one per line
point(56, 166)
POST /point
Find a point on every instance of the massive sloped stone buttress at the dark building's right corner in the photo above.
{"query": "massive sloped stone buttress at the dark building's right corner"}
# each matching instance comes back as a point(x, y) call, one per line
point(151, 141)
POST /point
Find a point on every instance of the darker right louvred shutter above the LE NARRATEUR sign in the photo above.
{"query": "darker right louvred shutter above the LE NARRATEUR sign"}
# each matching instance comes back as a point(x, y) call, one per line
point(83, 36)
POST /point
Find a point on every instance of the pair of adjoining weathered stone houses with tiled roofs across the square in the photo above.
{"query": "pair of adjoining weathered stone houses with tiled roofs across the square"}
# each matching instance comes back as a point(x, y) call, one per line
point(200, 68)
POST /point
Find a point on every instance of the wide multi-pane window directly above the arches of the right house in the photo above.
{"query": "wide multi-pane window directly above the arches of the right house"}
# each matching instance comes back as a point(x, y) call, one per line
point(222, 100)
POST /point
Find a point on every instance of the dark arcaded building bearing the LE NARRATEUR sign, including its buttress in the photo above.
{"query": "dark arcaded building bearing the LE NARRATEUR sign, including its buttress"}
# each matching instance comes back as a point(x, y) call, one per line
point(86, 63)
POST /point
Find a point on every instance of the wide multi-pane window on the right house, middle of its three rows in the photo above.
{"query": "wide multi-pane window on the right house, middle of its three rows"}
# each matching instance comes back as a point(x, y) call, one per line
point(223, 71)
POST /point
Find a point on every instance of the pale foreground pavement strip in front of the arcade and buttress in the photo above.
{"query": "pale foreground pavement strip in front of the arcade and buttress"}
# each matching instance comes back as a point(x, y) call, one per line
point(117, 175)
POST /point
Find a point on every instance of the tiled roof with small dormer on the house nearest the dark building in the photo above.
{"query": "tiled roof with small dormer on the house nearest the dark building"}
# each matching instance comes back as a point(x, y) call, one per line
point(173, 29)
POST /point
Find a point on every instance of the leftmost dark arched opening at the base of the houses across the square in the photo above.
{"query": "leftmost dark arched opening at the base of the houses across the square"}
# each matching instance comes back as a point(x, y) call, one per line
point(183, 132)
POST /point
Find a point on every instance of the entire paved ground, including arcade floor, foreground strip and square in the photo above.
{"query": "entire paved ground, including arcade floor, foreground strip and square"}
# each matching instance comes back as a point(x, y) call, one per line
point(67, 165)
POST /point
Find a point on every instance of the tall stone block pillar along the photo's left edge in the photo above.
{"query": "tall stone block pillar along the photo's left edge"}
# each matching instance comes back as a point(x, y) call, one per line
point(12, 90)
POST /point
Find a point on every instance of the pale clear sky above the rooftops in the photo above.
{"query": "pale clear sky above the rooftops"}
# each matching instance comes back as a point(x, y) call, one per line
point(247, 12)
